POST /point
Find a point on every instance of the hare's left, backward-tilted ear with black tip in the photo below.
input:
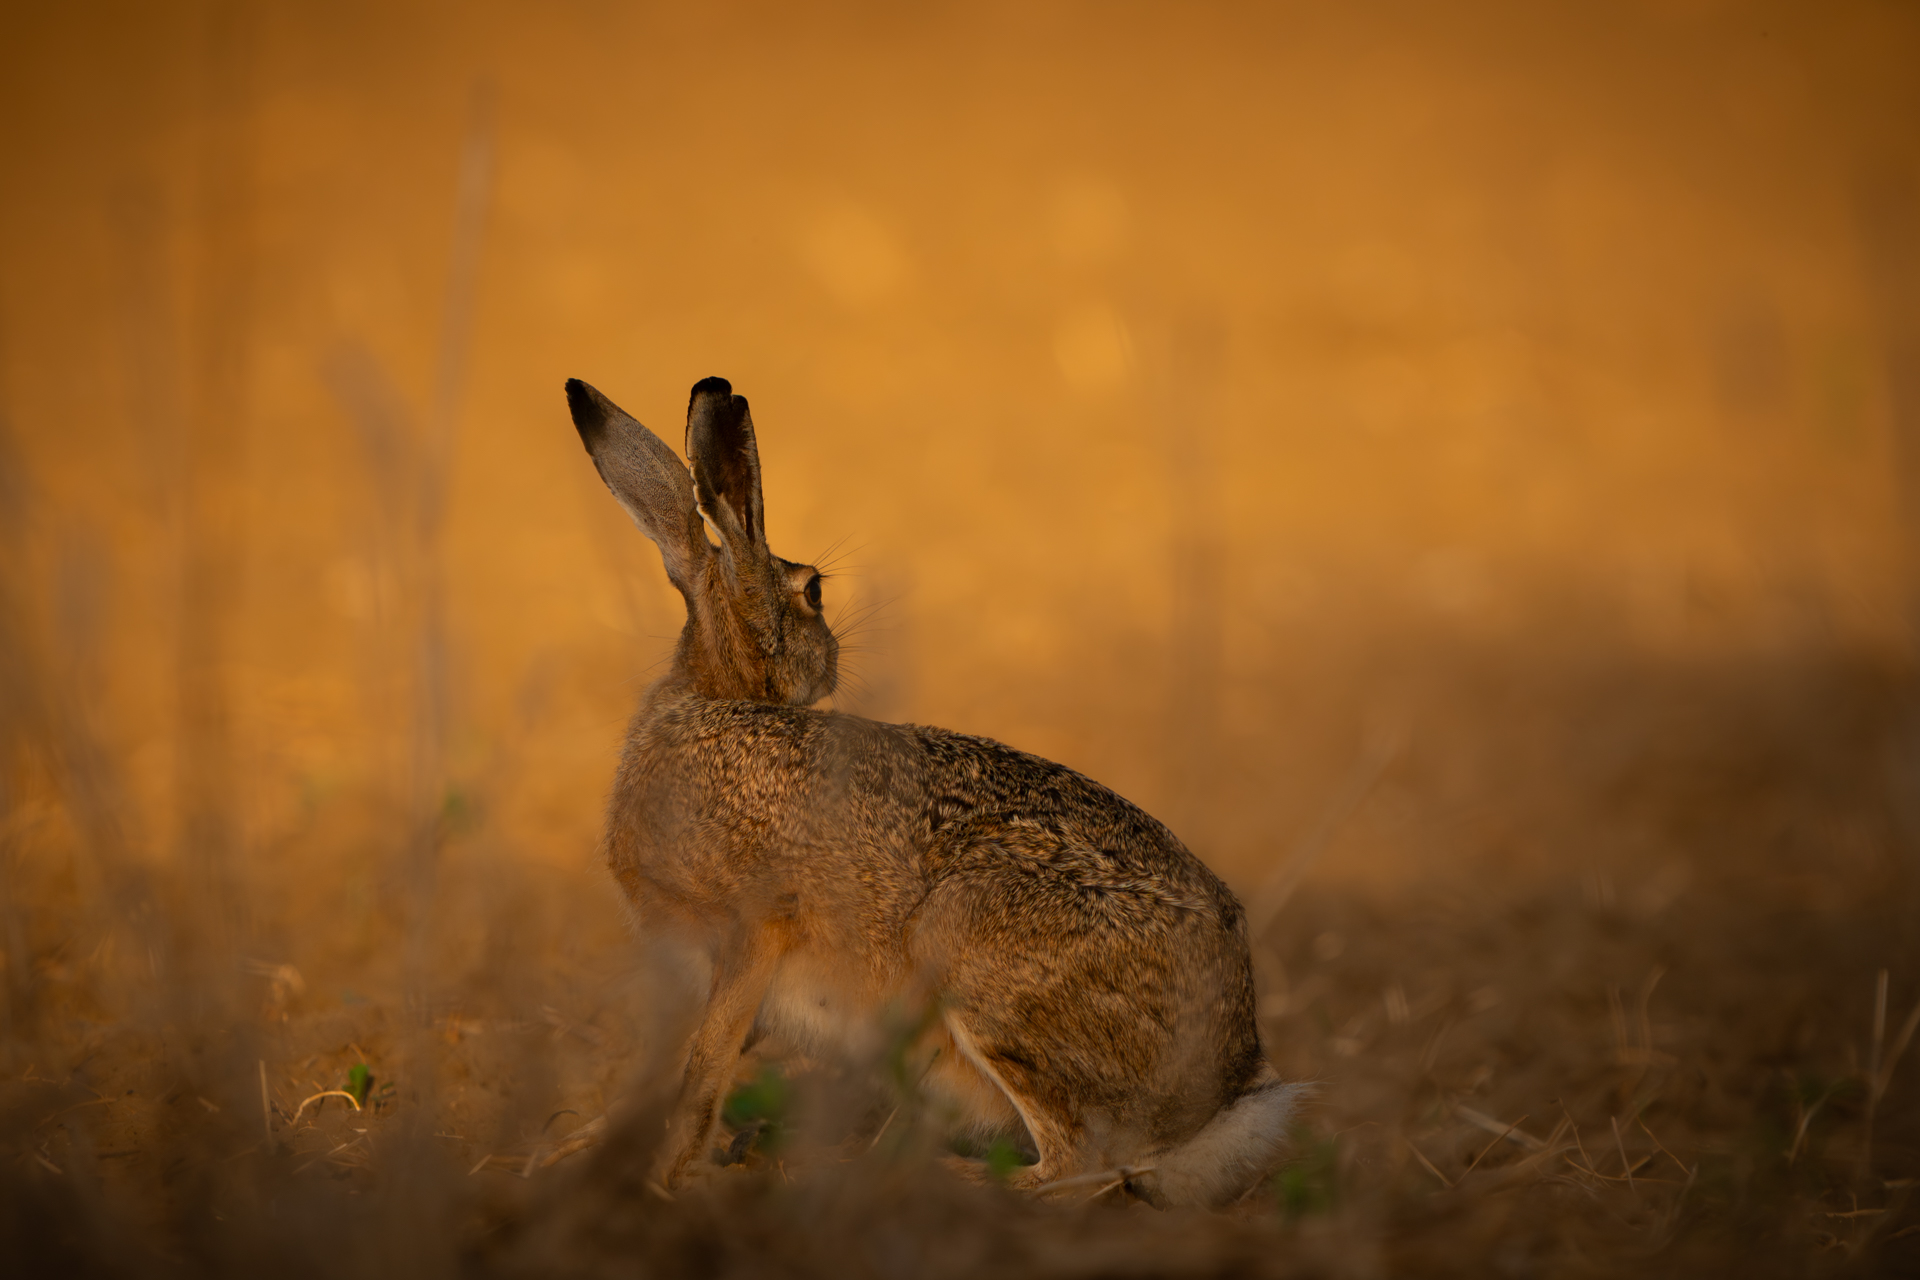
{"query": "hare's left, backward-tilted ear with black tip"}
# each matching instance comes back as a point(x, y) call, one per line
point(648, 477)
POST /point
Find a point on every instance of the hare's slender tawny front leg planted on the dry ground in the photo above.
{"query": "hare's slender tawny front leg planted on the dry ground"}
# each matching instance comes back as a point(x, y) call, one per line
point(742, 976)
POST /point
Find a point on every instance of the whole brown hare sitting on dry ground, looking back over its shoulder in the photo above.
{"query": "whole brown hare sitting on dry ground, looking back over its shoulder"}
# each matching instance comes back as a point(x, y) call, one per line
point(1090, 976)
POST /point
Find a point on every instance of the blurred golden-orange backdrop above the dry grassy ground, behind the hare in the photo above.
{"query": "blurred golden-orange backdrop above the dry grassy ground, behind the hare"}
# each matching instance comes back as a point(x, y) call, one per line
point(1245, 404)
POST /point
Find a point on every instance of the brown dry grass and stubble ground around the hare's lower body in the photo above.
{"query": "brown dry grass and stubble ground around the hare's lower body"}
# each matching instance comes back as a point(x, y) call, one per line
point(1646, 1068)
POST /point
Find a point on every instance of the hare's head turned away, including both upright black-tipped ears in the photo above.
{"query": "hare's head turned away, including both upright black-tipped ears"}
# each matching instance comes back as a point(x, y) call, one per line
point(756, 628)
